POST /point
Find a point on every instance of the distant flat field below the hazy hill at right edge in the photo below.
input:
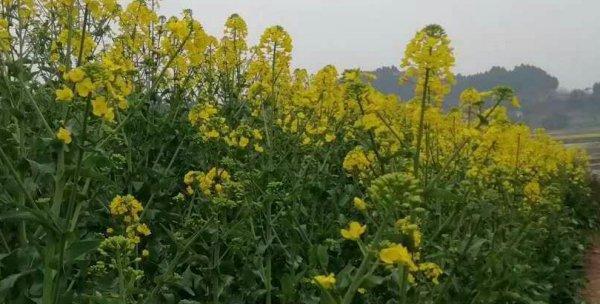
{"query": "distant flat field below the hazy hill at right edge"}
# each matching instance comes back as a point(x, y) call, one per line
point(586, 139)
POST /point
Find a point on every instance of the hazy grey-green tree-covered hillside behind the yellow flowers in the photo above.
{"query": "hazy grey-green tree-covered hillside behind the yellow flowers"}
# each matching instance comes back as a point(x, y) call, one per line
point(543, 103)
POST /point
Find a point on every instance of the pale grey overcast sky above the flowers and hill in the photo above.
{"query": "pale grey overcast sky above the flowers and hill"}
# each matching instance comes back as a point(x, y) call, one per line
point(560, 36)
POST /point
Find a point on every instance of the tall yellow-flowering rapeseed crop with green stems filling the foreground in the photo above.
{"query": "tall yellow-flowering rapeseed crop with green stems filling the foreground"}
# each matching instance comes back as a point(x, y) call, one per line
point(144, 161)
